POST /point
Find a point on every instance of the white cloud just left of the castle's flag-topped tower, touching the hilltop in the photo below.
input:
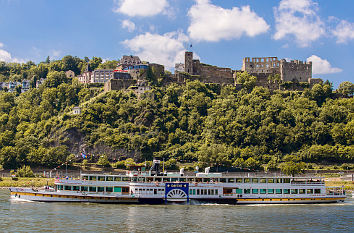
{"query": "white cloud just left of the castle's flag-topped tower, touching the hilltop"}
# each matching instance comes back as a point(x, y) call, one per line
point(164, 49)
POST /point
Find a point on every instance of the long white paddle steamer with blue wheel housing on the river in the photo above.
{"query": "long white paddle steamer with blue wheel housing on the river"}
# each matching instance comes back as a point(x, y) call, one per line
point(153, 187)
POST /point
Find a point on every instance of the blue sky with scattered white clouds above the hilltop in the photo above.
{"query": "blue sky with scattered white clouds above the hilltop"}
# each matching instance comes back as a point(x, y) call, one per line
point(221, 32)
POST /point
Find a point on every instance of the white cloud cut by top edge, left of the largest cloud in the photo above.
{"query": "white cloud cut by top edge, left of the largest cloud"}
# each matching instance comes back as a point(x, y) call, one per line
point(141, 7)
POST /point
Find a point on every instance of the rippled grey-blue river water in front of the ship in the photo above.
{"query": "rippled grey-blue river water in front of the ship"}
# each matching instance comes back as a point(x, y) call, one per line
point(18, 216)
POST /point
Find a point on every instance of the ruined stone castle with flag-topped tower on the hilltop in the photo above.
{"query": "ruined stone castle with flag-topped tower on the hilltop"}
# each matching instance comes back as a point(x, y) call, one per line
point(270, 72)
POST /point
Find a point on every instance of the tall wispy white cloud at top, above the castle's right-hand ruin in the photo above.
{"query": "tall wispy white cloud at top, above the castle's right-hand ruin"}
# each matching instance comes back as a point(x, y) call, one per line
point(298, 18)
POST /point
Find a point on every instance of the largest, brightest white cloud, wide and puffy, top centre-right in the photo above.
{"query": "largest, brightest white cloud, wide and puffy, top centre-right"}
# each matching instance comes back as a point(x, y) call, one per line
point(213, 23)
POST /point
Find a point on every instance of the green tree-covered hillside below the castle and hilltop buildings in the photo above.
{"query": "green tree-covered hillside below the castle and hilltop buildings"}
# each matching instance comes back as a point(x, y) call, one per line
point(194, 122)
